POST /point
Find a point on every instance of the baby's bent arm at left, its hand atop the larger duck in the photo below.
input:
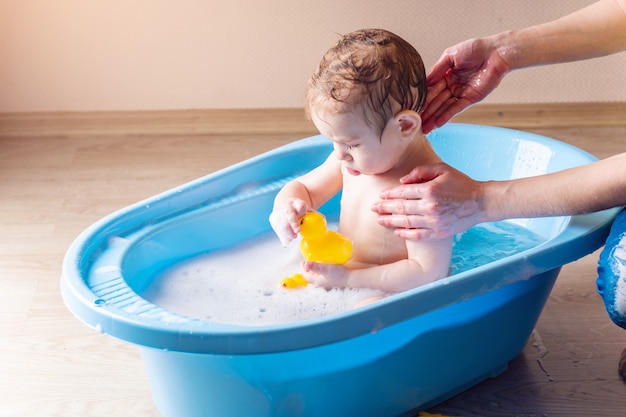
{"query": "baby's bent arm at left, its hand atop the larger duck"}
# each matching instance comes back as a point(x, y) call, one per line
point(305, 193)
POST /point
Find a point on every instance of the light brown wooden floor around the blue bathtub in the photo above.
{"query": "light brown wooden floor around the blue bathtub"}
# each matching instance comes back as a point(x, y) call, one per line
point(54, 186)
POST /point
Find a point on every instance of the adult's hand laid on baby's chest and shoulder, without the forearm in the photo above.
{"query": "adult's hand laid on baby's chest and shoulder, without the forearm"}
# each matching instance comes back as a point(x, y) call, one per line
point(435, 201)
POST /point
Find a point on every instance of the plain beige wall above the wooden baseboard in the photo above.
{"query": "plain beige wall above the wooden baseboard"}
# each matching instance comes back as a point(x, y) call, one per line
point(82, 55)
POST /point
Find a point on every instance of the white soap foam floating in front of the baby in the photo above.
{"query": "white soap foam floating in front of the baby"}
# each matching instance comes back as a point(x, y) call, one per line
point(241, 285)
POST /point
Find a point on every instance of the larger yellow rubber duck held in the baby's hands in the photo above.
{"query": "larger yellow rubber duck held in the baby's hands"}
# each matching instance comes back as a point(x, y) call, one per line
point(321, 245)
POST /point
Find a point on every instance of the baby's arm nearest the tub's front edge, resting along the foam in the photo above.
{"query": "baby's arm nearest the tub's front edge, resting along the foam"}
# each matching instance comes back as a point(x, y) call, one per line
point(427, 262)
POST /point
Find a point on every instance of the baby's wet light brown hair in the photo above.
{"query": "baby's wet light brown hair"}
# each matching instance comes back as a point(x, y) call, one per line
point(371, 71)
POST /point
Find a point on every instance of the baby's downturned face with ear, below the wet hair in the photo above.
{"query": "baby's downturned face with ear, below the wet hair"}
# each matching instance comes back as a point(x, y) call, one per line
point(357, 144)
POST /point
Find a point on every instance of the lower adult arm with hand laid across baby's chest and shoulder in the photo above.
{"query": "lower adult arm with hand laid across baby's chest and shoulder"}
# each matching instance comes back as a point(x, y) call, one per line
point(445, 201)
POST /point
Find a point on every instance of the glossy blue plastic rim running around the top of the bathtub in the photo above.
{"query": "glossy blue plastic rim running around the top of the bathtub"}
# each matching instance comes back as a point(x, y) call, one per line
point(582, 235)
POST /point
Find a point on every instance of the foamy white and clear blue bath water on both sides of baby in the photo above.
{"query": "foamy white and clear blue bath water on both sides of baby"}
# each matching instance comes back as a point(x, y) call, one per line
point(241, 285)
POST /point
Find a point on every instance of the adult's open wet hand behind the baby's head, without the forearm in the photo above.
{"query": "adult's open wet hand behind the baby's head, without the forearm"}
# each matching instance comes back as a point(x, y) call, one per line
point(464, 75)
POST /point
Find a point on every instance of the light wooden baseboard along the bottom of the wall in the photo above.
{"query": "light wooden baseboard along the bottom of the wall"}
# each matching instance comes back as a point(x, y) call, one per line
point(290, 121)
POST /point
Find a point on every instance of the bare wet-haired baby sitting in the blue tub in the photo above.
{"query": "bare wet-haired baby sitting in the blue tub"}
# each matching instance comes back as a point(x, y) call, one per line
point(366, 97)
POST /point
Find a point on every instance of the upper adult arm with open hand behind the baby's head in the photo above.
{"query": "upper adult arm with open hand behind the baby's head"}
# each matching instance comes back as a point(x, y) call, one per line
point(468, 72)
